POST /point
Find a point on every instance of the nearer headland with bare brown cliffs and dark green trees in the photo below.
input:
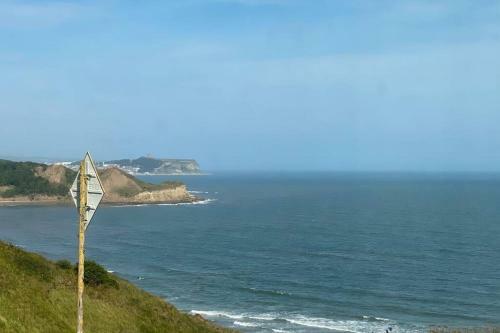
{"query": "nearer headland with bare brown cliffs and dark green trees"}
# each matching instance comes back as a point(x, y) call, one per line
point(31, 182)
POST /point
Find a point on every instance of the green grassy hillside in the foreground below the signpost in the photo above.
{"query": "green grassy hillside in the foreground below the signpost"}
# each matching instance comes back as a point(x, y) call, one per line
point(37, 295)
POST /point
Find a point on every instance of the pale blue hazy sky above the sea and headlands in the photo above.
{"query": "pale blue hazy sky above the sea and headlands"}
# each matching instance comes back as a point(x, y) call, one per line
point(255, 84)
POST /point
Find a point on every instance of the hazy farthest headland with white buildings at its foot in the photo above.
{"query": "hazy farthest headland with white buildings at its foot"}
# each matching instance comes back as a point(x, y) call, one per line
point(151, 166)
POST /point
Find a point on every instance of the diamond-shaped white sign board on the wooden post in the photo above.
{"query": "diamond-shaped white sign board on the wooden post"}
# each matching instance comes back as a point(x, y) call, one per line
point(95, 191)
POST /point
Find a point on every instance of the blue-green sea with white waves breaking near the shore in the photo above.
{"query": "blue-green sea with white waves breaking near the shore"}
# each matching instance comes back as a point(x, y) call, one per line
point(301, 252)
